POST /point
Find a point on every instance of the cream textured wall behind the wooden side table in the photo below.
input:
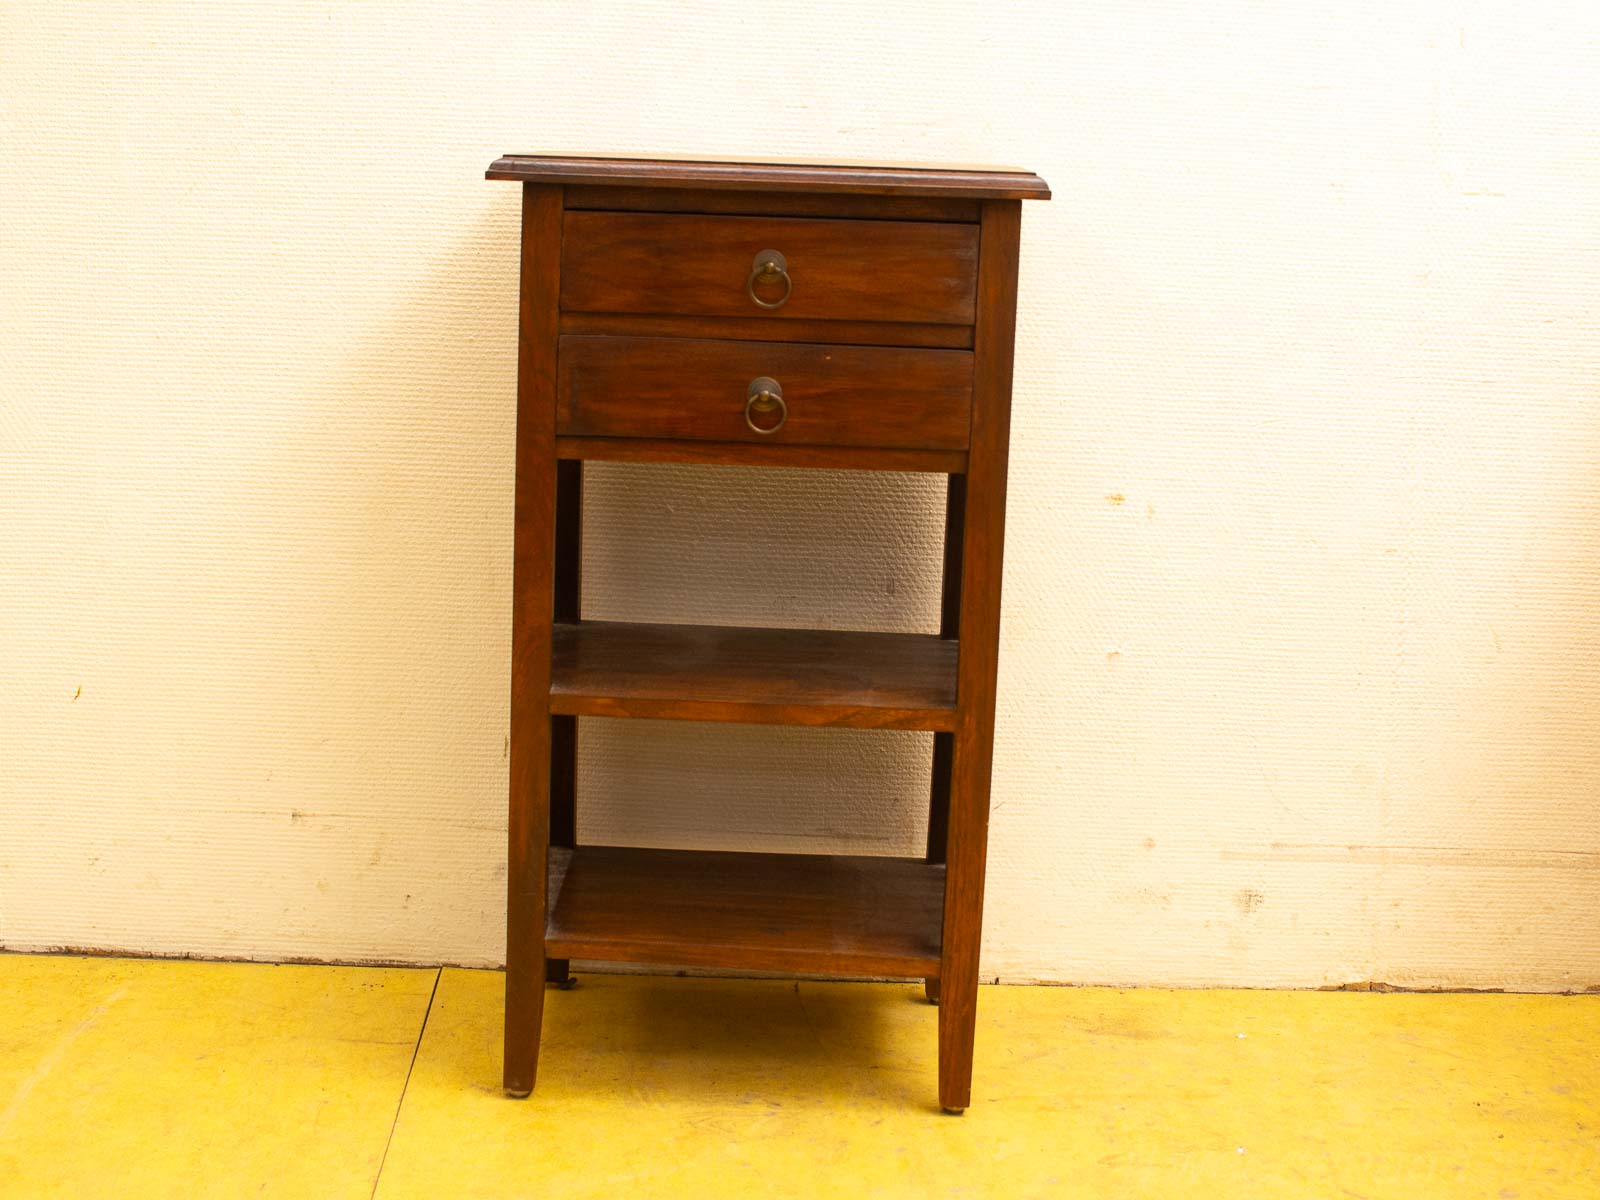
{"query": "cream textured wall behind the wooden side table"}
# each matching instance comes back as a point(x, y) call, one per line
point(1302, 666)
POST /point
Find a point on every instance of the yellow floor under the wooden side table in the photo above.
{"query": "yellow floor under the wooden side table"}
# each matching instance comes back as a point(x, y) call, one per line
point(158, 1079)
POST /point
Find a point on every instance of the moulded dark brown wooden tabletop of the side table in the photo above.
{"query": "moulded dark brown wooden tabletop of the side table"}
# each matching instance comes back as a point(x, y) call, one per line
point(978, 183)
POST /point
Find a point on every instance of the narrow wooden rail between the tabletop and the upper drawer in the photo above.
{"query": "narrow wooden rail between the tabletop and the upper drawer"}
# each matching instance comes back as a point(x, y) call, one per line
point(770, 204)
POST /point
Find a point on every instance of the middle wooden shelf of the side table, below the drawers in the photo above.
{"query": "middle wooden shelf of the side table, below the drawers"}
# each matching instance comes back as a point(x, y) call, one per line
point(758, 676)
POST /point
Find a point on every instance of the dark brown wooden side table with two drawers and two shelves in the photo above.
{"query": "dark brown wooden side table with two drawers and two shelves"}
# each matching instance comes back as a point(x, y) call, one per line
point(758, 314)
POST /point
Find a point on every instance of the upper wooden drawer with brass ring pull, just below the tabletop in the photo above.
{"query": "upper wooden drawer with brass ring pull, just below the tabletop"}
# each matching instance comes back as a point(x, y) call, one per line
point(706, 266)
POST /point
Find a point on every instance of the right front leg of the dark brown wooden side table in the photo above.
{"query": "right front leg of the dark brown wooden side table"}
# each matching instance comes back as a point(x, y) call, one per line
point(983, 545)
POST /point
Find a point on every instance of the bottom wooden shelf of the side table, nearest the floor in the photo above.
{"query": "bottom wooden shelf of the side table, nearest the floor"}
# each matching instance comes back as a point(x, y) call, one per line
point(815, 914)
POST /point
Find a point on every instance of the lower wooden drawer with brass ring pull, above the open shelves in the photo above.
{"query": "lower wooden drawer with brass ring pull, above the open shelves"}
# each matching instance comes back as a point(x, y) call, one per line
point(708, 391)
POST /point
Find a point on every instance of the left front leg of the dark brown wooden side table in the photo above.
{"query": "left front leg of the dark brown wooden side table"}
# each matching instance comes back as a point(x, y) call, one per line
point(534, 601)
